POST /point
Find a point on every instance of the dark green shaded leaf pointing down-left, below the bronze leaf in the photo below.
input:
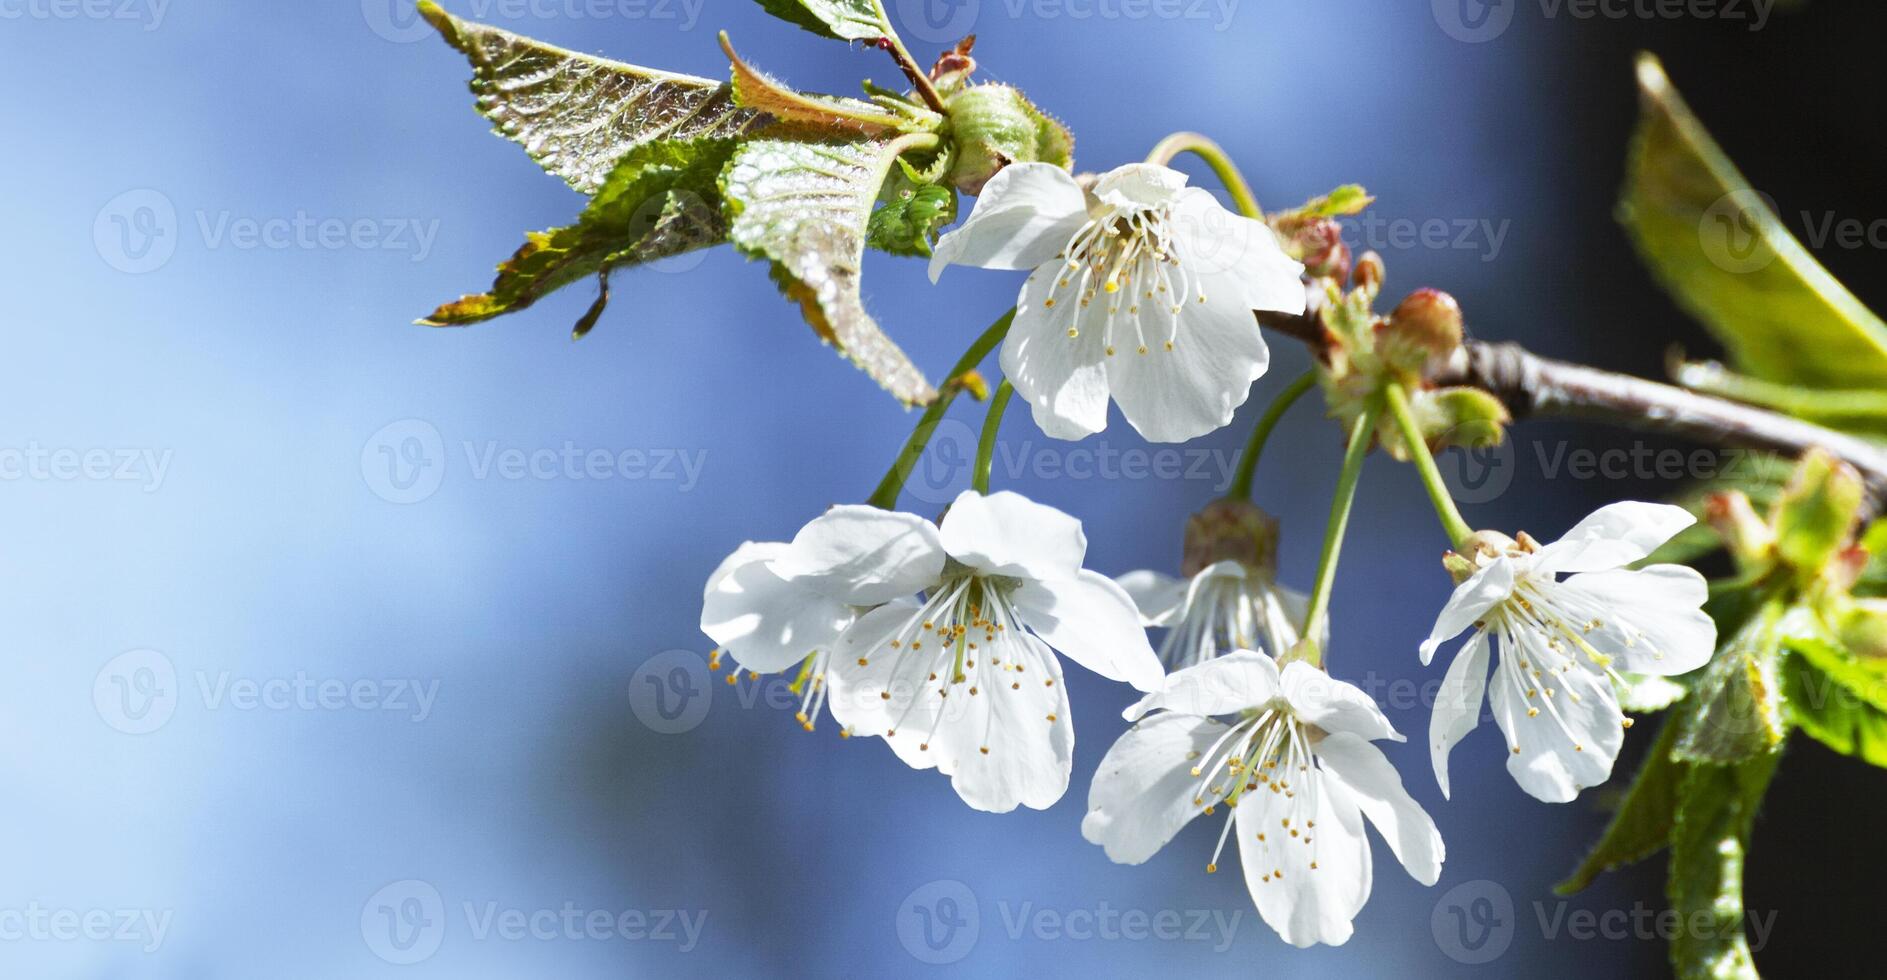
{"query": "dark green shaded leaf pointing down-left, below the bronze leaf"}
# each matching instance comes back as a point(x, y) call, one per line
point(660, 201)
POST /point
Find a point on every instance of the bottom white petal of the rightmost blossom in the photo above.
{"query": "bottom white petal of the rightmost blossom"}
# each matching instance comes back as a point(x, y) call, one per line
point(1571, 745)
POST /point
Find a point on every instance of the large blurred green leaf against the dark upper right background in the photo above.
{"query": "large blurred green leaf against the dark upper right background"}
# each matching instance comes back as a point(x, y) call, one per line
point(1724, 254)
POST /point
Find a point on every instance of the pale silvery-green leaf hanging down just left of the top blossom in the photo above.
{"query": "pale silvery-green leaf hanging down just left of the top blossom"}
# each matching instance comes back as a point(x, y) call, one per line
point(805, 207)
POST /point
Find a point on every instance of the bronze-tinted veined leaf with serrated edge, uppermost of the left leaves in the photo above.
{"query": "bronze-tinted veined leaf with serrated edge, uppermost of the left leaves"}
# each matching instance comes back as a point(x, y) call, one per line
point(578, 114)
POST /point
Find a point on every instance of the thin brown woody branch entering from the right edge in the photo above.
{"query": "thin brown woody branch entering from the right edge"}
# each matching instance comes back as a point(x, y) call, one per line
point(1533, 386)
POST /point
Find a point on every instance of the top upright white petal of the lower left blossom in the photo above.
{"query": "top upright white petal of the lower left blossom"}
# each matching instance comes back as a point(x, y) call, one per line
point(1010, 535)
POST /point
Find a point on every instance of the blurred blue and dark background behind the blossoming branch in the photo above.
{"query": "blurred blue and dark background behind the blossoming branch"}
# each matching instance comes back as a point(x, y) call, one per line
point(303, 679)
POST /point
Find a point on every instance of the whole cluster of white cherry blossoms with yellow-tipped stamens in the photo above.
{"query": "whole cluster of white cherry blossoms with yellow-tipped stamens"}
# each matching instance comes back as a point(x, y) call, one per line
point(946, 639)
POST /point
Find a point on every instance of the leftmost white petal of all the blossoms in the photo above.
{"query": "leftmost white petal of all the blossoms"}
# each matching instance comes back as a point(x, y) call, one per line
point(765, 622)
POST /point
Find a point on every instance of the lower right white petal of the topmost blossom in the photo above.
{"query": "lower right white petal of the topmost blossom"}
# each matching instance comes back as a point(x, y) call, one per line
point(1197, 386)
